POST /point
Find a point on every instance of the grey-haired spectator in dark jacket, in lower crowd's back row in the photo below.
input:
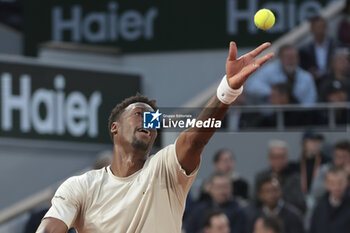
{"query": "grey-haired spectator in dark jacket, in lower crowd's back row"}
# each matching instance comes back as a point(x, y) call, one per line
point(285, 172)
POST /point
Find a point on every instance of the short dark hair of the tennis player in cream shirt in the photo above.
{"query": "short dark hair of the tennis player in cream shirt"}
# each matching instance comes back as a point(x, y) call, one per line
point(119, 108)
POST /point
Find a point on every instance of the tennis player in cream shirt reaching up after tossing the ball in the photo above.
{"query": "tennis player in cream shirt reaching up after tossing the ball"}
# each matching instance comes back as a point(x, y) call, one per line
point(137, 192)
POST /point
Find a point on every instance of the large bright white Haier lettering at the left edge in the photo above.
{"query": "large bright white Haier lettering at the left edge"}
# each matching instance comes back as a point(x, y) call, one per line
point(73, 113)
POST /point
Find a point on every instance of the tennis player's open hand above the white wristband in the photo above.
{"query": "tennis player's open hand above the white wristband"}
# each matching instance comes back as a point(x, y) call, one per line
point(238, 70)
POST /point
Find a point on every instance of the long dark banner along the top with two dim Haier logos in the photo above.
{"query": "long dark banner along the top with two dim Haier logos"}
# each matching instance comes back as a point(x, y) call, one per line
point(151, 25)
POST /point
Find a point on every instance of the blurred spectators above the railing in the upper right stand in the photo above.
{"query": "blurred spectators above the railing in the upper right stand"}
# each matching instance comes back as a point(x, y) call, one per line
point(317, 72)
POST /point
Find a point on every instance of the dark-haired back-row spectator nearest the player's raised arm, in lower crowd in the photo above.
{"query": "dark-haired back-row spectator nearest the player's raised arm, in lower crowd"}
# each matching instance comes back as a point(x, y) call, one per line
point(225, 162)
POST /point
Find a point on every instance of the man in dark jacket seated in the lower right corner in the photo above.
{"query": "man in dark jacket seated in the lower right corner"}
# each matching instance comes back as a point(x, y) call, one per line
point(332, 213)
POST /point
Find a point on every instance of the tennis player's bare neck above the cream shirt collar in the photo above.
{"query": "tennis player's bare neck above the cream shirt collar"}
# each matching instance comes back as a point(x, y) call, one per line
point(126, 163)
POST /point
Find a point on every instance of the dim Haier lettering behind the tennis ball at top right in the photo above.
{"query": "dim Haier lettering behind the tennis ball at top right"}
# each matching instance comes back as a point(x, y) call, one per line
point(286, 12)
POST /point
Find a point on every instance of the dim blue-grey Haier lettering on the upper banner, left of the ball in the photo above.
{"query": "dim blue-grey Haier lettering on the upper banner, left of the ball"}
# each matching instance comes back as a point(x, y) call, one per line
point(130, 25)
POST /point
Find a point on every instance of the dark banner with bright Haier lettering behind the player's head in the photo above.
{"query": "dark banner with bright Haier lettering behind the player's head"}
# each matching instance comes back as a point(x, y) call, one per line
point(47, 102)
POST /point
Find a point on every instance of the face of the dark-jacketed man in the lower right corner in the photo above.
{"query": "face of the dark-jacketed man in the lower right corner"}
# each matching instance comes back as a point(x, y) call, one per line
point(336, 184)
